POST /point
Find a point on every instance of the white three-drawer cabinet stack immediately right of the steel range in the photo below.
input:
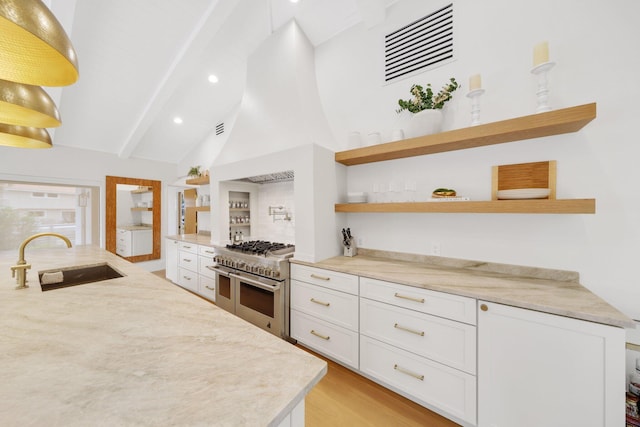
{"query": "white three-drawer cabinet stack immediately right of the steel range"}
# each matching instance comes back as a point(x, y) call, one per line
point(324, 312)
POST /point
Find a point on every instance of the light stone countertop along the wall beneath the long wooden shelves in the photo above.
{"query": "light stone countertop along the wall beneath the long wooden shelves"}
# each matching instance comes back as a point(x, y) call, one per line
point(550, 291)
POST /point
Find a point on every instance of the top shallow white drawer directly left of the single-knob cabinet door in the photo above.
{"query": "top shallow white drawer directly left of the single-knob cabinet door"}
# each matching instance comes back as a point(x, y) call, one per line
point(441, 304)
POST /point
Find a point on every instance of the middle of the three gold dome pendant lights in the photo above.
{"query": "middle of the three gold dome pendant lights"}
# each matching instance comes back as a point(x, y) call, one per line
point(27, 105)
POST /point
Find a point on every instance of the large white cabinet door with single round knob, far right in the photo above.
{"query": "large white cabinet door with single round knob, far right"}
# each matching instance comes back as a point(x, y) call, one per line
point(538, 369)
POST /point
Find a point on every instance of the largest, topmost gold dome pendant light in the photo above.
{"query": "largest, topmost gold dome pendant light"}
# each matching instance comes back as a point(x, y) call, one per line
point(34, 48)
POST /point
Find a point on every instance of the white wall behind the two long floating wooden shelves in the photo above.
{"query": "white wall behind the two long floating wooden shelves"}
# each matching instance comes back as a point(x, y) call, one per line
point(595, 46)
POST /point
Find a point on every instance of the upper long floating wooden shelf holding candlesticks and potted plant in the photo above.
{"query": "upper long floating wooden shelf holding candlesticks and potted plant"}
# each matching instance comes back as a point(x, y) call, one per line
point(554, 122)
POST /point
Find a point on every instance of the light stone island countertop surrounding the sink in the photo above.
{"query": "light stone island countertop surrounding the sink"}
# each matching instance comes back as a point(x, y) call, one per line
point(136, 351)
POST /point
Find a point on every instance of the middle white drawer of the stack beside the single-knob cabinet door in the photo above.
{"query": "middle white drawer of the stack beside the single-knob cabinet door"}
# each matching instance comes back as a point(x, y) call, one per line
point(445, 341)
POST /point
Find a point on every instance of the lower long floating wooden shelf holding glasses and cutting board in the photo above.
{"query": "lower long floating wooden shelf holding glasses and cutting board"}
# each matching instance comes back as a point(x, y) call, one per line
point(539, 206)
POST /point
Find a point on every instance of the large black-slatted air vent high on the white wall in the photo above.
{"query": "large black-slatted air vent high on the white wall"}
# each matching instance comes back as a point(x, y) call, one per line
point(423, 44)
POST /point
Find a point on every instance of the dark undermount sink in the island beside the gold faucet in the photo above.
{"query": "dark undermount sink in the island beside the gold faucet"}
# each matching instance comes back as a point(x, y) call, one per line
point(72, 276)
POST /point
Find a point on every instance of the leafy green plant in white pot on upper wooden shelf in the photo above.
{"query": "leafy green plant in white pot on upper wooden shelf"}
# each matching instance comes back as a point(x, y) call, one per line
point(426, 107)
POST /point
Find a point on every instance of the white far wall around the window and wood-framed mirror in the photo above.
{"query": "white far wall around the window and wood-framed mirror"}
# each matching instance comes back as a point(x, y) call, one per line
point(82, 167)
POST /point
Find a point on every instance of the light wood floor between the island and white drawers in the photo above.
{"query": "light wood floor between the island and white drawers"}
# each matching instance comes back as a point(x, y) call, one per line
point(344, 398)
